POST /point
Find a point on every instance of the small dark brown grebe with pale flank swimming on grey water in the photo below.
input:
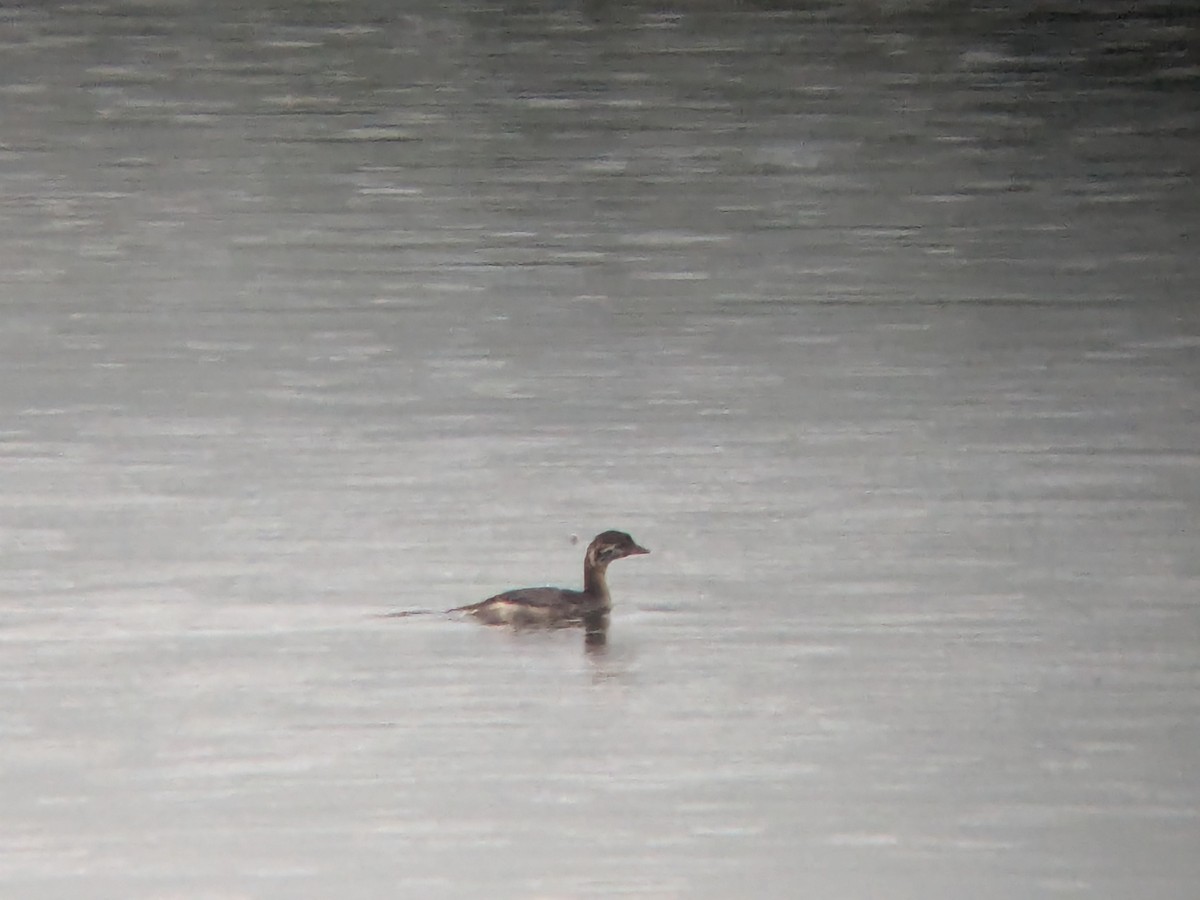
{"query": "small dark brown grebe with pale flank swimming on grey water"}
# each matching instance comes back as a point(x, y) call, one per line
point(559, 608)
